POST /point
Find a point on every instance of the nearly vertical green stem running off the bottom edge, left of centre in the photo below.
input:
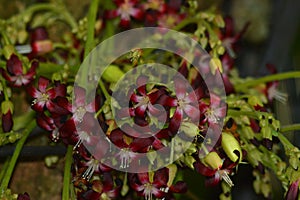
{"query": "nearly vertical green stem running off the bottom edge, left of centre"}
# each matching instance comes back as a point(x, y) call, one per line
point(67, 174)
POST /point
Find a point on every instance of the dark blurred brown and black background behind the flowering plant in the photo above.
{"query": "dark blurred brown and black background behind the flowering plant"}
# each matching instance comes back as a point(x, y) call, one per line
point(272, 37)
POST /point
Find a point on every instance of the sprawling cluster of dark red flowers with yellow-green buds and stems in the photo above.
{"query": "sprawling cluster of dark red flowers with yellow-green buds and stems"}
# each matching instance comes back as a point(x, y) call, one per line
point(107, 136)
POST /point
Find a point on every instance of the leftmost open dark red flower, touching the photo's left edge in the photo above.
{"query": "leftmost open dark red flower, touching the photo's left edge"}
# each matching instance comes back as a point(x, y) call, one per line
point(16, 73)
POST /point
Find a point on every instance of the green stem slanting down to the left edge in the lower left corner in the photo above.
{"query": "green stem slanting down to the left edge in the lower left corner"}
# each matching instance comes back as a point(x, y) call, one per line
point(14, 158)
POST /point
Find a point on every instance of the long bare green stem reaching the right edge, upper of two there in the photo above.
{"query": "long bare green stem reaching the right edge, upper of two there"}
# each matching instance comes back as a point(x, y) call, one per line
point(265, 79)
